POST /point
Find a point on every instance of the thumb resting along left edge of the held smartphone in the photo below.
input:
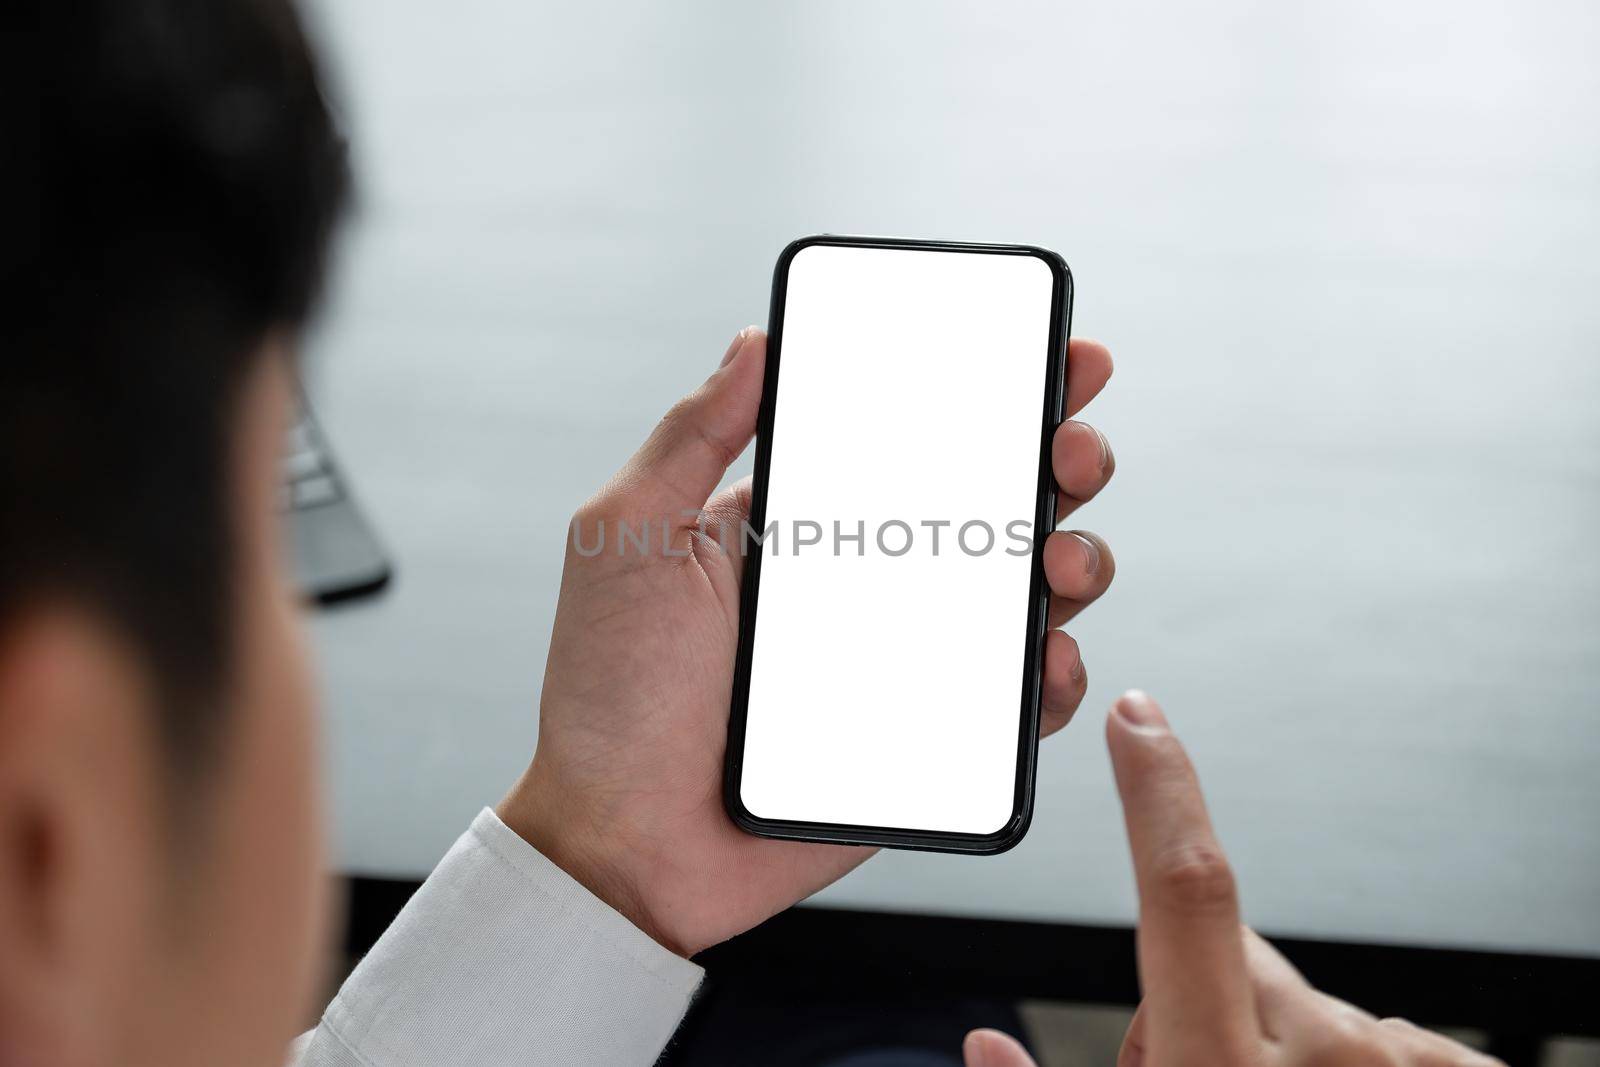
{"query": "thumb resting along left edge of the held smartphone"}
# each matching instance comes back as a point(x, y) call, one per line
point(690, 450)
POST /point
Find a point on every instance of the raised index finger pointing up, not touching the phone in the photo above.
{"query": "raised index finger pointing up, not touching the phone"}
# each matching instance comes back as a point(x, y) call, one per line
point(1191, 953)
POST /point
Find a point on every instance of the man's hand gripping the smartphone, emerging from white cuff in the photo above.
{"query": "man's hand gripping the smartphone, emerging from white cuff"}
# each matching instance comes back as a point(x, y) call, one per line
point(625, 791)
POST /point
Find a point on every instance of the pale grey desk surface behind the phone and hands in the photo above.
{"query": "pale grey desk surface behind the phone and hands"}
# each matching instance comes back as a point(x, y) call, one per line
point(1345, 258)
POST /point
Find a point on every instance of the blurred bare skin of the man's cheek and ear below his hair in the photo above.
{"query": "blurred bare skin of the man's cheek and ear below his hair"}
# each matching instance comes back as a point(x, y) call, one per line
point(146, 917)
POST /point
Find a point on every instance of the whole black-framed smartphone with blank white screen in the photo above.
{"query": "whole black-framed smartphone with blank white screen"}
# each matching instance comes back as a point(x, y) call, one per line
point(894, 610)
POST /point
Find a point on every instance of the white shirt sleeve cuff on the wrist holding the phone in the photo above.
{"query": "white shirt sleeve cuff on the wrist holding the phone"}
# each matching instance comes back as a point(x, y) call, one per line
point(505, 959)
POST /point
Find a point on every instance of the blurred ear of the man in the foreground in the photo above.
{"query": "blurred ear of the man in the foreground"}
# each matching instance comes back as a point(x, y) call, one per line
point(79, 836)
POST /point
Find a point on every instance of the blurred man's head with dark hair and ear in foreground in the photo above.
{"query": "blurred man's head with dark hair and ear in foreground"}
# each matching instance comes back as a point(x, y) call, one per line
point(180, 182)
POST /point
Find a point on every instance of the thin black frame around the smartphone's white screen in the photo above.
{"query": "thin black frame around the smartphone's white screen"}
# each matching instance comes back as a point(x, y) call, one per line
point(1039, 591)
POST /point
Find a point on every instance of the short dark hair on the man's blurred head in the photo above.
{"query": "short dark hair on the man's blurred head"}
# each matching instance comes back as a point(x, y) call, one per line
point(177, 209)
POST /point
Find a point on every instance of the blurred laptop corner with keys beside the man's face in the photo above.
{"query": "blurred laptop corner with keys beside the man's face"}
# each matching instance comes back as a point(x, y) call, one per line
point(335, 554)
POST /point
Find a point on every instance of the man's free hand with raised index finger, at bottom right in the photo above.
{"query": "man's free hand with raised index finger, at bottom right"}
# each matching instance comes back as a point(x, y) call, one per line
point(1215, 993)
